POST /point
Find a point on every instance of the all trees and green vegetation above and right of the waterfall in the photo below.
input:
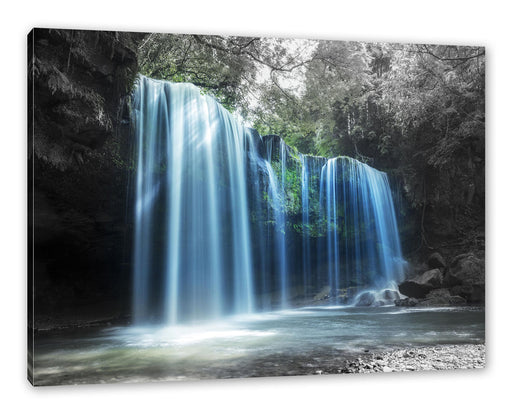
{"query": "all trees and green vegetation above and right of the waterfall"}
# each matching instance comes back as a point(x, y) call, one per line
point(415, 111)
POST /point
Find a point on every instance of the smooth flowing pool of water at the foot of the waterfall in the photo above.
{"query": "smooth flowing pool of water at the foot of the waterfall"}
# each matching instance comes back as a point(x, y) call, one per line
point(293, 342)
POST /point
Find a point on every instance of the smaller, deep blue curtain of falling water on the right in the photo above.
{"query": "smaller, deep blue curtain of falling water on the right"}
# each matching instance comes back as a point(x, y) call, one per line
point(363, 247)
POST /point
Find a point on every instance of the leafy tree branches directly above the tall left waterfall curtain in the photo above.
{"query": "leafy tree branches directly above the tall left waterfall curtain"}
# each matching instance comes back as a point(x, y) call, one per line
point(232, 68)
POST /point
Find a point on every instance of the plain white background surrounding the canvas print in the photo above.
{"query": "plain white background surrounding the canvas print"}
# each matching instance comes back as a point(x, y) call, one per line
point(458, 22)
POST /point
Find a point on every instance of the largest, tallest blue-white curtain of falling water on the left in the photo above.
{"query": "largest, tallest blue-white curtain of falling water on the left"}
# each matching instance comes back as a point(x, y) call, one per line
point(192, 248)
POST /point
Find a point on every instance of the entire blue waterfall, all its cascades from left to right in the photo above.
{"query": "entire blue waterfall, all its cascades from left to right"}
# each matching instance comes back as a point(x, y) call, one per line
point(228, 222)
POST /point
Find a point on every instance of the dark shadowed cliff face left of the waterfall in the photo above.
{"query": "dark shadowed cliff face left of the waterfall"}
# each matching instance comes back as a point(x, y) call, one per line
point(79, 167)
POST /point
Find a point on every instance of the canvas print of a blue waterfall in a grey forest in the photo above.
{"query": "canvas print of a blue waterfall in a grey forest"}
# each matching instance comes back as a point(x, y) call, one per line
point(209, 206)
